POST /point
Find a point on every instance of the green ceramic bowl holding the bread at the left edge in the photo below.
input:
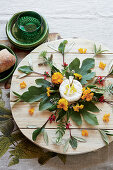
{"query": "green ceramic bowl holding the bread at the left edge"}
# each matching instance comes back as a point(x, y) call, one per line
point(6, 74)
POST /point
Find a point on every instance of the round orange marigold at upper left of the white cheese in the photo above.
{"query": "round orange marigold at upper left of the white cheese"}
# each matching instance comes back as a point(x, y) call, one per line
point(57, 78)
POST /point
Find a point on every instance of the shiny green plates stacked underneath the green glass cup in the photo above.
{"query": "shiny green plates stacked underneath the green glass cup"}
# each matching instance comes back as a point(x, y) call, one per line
point(11, 31)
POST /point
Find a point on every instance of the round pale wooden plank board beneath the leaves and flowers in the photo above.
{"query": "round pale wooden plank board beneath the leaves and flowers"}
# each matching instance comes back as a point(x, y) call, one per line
point(28, 124)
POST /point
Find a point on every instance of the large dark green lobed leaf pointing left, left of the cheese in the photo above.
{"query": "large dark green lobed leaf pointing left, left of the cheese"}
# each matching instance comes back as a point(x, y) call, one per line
point(34, 94)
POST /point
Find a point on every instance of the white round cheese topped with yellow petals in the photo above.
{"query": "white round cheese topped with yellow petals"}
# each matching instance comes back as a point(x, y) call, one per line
point(71, 89)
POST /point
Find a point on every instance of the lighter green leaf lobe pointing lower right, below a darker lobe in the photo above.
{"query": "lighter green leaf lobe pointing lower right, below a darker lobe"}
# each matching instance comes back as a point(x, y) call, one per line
point(89, 118)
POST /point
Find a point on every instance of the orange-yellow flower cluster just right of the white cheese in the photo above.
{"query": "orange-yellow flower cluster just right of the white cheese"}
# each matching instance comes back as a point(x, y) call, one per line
point(87, 95)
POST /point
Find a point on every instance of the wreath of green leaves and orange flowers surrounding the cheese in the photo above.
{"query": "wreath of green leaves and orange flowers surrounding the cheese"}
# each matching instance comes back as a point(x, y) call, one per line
point(48, 94)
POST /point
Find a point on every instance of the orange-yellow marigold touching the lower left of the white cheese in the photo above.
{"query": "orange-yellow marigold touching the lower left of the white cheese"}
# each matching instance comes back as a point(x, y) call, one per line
point(63, 104)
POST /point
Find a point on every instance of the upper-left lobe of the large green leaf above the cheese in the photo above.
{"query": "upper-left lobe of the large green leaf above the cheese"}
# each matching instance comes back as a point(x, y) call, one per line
point(74, 65)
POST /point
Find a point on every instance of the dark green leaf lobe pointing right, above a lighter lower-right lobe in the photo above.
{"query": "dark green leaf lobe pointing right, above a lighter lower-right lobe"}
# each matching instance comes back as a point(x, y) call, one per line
point(90, 106)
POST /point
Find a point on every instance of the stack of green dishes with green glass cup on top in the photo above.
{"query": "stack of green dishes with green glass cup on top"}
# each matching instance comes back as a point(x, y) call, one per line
point(18, 39)
